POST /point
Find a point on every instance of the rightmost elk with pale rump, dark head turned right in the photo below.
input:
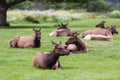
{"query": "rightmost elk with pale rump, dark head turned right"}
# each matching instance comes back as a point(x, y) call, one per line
point(100, 34)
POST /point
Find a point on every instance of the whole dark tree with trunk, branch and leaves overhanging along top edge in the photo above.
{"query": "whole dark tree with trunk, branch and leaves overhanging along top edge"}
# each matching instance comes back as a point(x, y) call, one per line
point(6, 4)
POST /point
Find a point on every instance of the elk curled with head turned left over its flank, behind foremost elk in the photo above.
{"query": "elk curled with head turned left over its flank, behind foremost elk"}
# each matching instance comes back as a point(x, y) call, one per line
point(76, 45)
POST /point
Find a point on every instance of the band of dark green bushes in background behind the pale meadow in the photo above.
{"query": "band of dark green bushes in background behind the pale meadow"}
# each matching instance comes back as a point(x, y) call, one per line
point(89, 5)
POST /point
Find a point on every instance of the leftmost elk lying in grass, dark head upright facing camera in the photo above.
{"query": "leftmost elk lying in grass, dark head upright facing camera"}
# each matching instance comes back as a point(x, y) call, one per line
point(32, 41)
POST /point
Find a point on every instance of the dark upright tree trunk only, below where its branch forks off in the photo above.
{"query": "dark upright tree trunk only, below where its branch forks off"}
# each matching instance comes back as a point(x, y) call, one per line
point(3, 16)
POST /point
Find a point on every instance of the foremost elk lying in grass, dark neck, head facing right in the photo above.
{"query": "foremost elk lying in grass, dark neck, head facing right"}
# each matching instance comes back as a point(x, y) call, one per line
point(50, 60)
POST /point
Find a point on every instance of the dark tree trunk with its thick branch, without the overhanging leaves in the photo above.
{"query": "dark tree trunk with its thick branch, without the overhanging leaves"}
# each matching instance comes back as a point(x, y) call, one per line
point(4, 5)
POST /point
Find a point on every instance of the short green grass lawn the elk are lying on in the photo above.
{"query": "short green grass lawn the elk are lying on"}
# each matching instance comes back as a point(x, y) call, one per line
point(102, 62)
